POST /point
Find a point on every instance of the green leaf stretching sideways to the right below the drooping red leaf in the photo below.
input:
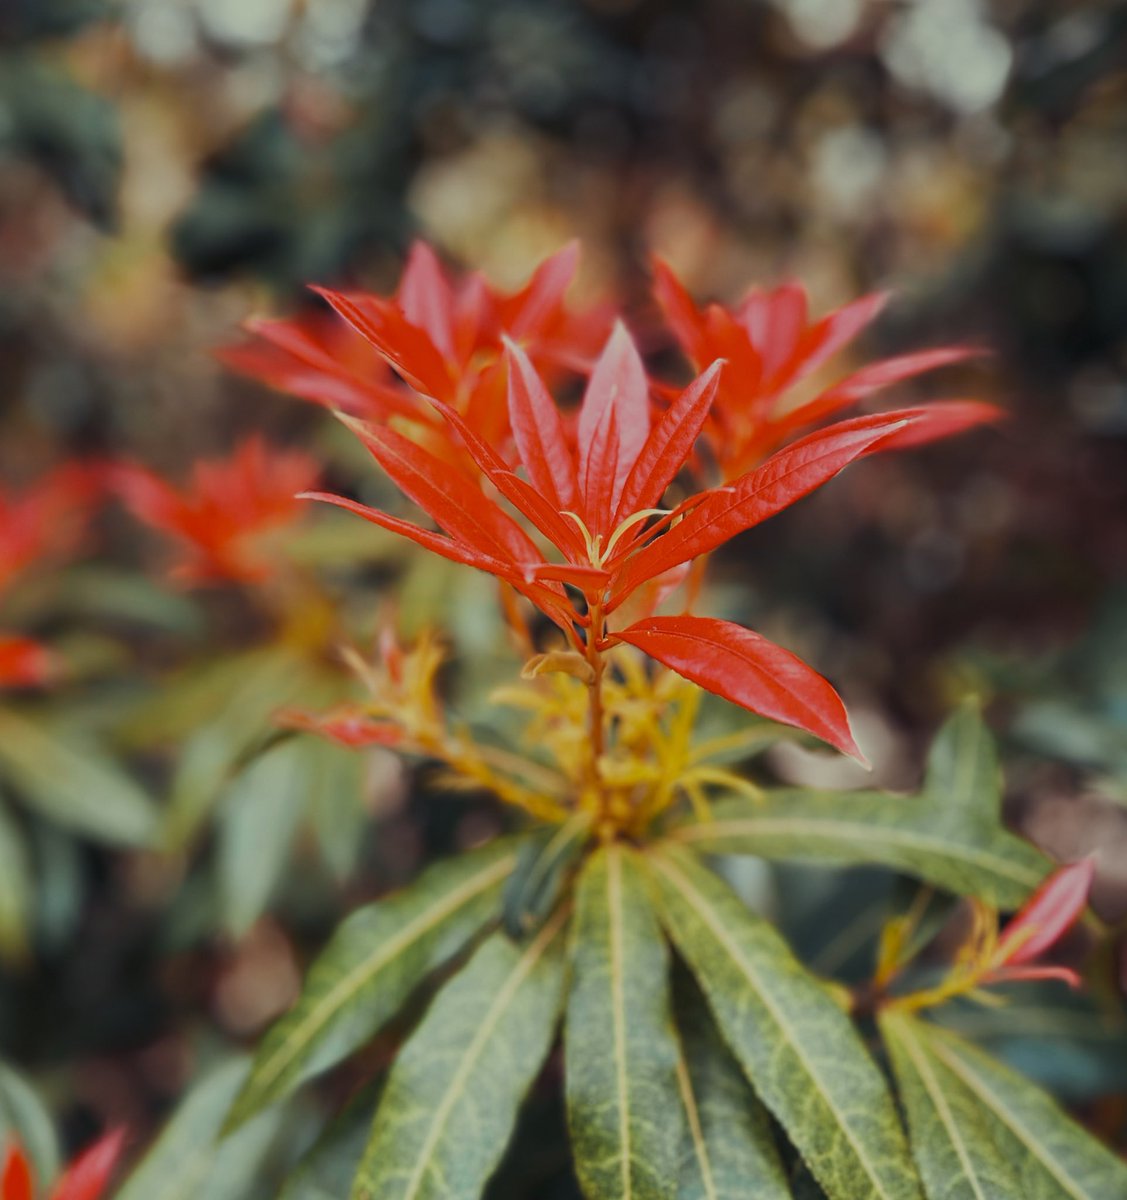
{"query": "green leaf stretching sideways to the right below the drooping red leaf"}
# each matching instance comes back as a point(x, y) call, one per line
point(943, 845)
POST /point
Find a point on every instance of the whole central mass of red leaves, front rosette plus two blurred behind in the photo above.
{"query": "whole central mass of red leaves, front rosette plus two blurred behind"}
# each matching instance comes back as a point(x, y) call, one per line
point(565, 505)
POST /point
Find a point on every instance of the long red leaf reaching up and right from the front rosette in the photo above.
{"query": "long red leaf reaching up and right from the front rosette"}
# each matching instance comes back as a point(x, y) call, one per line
point(786, 478)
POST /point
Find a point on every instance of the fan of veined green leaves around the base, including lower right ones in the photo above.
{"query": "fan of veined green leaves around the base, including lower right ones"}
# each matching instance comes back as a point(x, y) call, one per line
point(702, 1058)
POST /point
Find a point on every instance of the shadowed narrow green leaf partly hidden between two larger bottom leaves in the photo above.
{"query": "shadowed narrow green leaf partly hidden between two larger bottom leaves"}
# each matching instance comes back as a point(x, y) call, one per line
point(729, 1153)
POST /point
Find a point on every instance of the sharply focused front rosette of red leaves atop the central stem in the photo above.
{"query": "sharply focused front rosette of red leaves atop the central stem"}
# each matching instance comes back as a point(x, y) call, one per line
point(592, 490)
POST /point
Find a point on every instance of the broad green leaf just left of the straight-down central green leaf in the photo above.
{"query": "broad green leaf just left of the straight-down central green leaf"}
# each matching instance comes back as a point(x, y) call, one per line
point(455, 1089)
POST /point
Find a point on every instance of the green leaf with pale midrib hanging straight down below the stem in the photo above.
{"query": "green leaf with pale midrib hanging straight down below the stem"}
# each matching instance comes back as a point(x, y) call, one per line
point(622, 1053)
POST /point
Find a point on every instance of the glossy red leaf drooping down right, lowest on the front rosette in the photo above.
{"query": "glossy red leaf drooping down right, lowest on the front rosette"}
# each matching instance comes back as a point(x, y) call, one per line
point(748, 670)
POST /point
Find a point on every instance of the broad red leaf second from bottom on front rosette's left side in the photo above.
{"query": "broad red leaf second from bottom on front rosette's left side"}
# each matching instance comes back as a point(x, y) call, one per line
point(447, 495)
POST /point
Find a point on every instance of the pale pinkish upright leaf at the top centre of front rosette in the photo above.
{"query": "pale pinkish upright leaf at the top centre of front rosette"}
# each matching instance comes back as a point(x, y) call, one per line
point(614, 424)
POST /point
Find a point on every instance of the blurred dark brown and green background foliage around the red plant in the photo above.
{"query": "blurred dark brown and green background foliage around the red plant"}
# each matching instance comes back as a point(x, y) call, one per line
point(170, 167)
